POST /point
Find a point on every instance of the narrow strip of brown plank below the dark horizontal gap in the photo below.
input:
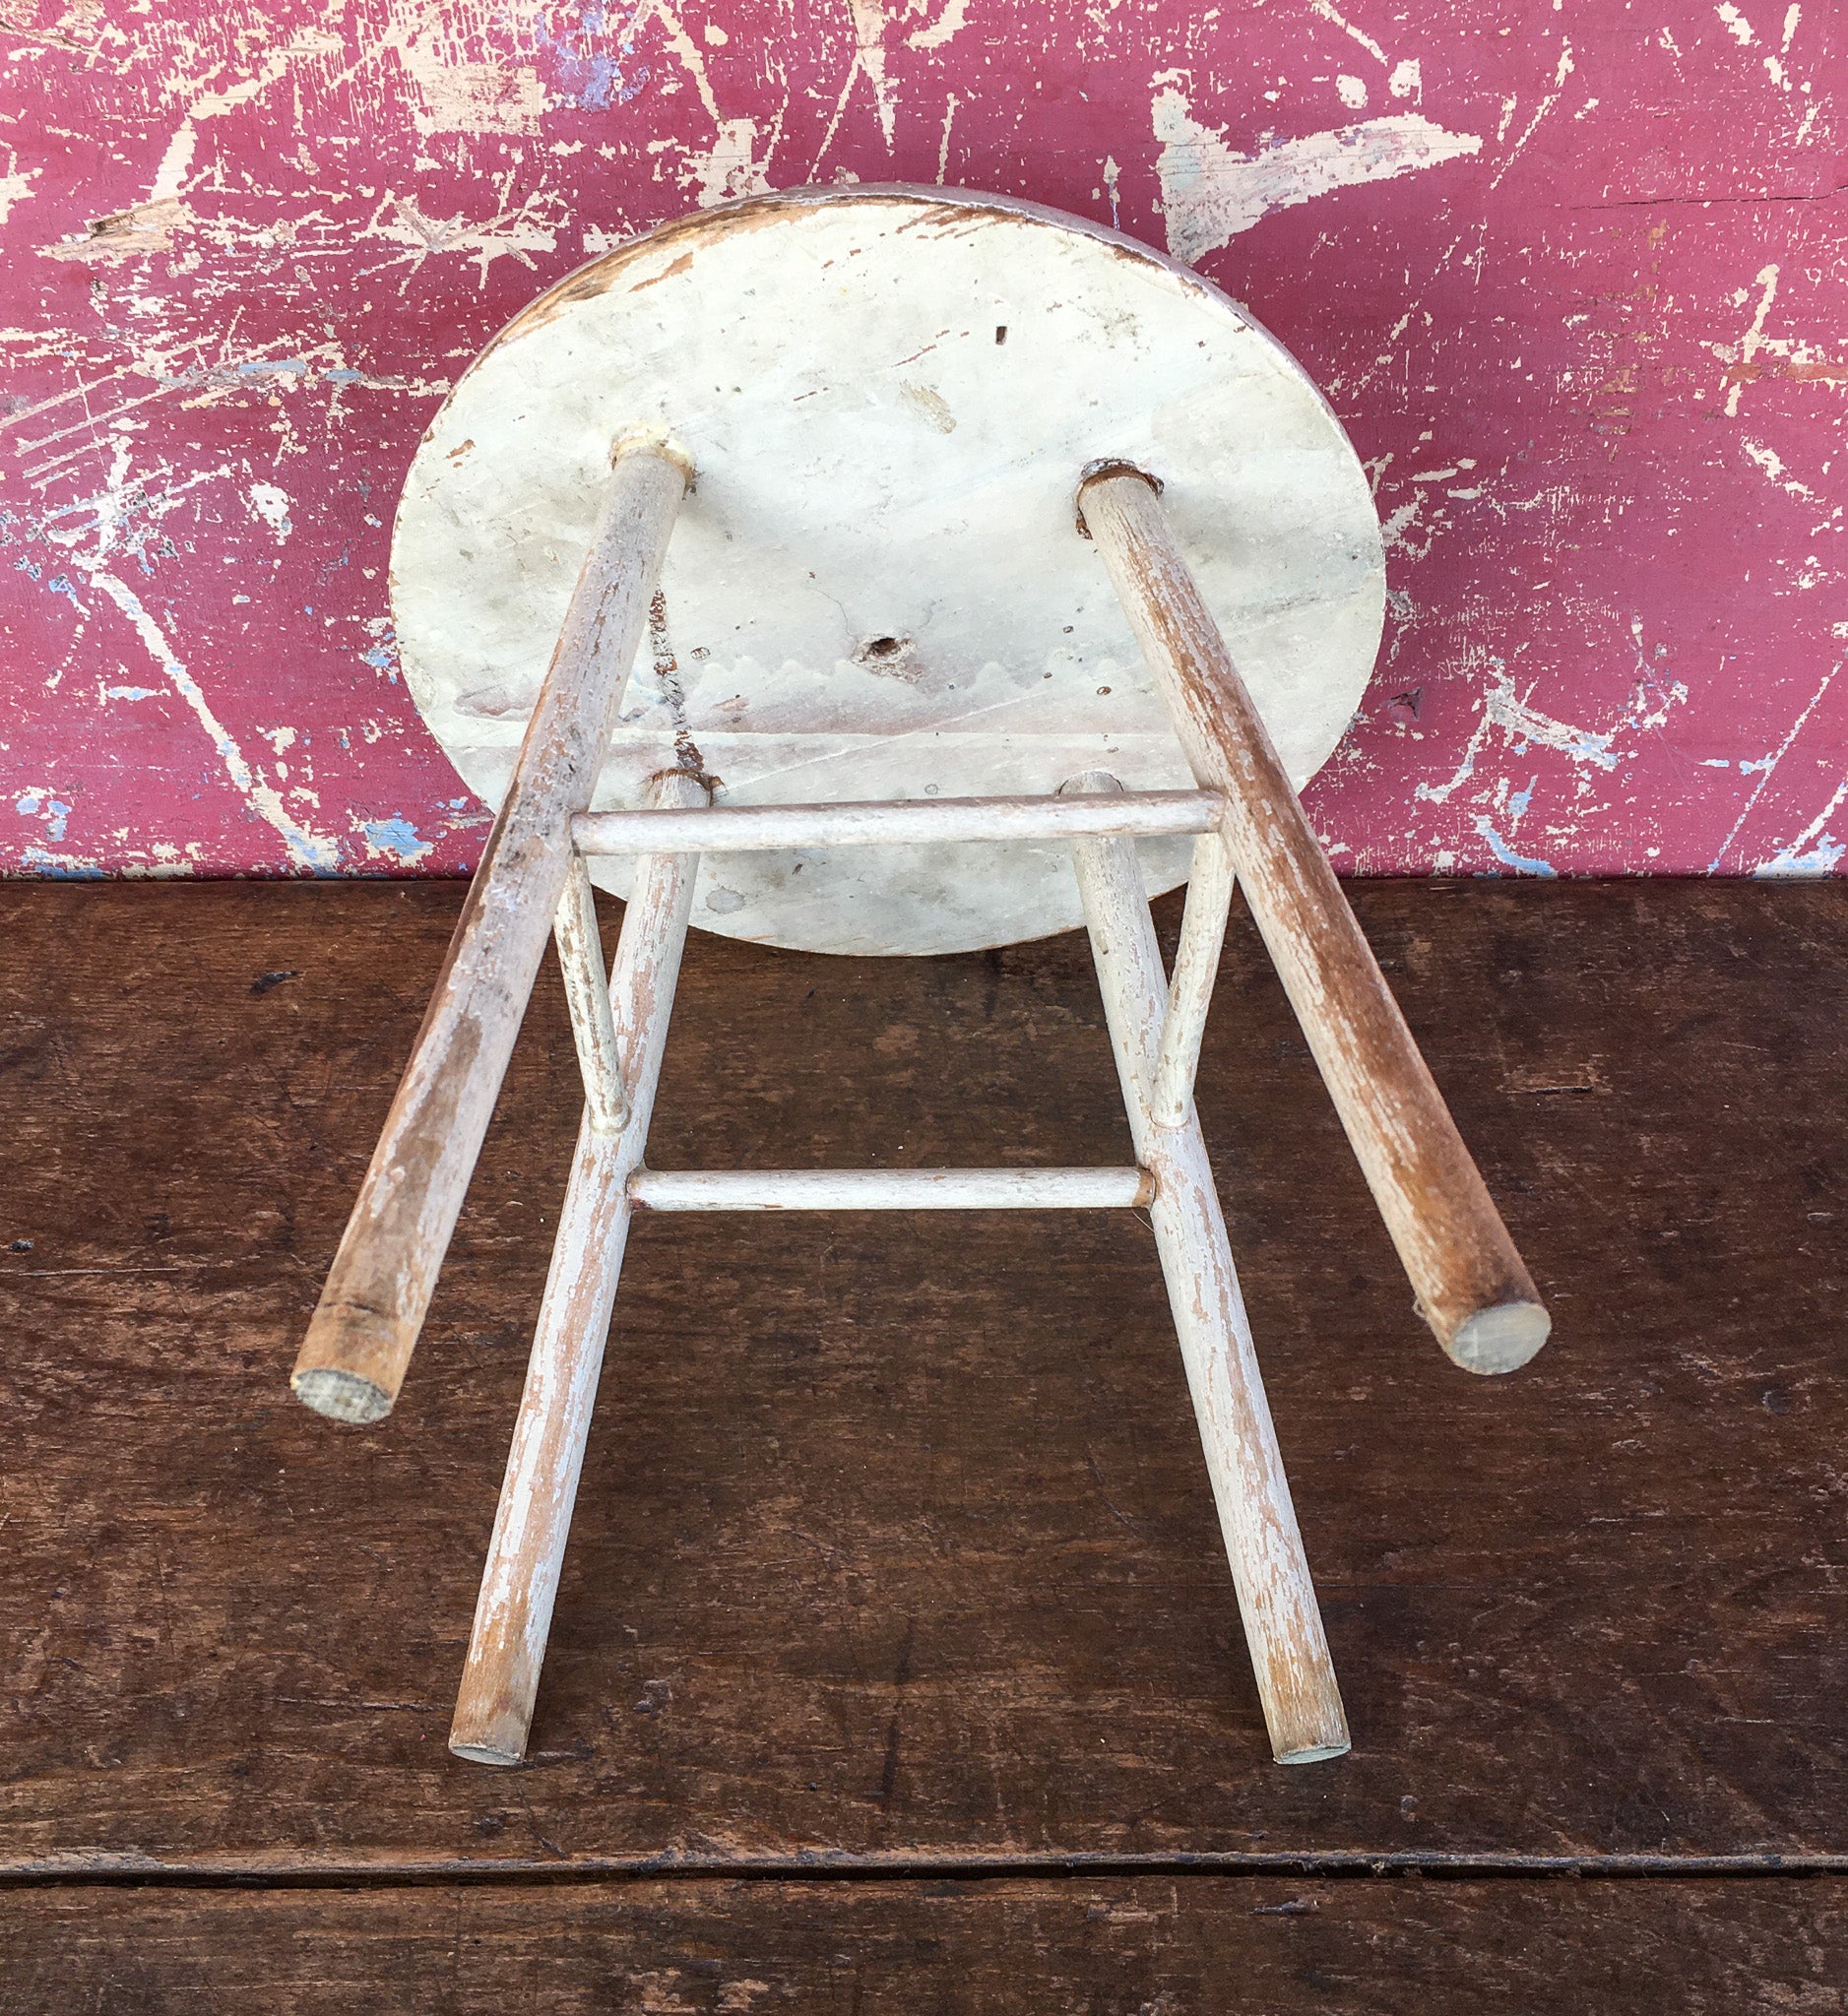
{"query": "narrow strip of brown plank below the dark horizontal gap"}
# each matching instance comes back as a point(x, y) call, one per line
point(1154, 1946)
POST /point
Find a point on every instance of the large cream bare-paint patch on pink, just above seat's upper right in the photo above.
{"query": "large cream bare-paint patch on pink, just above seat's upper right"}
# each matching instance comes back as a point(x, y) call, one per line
point(1210, 193)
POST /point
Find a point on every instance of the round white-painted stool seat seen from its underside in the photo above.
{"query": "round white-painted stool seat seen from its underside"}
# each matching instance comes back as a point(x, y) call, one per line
point(878, 588)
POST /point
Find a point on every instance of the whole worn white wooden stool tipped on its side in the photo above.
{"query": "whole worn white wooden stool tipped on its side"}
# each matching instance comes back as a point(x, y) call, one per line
point(908, 445)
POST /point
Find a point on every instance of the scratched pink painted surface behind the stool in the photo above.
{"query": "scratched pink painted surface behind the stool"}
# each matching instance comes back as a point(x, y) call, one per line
point(1585, 328)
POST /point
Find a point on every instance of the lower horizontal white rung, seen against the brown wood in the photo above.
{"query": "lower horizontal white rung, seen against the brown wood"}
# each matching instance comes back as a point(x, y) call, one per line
point(890, 1190)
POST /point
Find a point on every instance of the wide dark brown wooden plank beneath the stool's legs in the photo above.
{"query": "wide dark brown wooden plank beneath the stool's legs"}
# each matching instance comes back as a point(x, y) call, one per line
point(894, 1533)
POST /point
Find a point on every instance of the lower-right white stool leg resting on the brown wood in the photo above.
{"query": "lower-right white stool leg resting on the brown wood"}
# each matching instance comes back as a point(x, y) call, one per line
point(1269, 1567)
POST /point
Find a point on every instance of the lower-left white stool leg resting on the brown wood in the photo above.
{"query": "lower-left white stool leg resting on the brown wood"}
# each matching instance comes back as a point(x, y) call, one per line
point(527, 1553)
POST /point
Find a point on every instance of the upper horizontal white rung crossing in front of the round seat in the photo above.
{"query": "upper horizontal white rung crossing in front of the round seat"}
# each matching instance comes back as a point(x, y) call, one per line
point(729, 830)
